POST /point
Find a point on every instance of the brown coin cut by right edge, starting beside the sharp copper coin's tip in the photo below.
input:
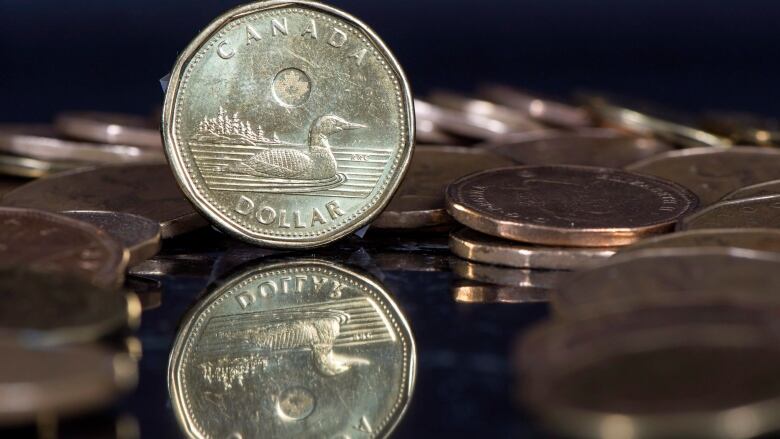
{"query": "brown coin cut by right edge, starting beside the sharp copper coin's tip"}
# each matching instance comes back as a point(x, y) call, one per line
point(749, 212)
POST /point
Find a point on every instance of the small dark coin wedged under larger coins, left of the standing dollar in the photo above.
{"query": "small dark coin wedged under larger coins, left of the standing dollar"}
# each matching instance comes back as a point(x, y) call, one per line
point(139, 235)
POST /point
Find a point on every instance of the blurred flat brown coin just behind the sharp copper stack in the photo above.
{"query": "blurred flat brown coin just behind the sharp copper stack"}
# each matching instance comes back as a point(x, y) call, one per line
point(587, 147)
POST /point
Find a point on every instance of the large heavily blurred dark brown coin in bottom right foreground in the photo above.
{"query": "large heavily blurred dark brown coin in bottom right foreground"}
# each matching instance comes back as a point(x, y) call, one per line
point(645, 374)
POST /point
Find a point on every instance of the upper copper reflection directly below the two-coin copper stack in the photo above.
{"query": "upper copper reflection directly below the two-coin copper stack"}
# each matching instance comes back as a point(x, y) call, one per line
point(511, 277)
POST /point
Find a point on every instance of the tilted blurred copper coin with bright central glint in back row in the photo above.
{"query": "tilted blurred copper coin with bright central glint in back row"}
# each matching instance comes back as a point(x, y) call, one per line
point(543, 110)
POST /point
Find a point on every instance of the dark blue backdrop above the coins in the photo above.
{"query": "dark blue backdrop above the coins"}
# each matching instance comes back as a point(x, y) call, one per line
point(690, 54)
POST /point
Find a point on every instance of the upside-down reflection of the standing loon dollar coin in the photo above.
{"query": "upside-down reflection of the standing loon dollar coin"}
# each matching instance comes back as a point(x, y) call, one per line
point(294, 349)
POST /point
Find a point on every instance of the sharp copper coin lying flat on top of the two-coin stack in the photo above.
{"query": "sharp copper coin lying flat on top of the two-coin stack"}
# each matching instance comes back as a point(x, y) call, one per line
point(568, 205)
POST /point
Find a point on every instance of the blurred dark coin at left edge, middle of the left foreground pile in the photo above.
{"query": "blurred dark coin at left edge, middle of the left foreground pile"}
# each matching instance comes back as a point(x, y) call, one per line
point(57, 309)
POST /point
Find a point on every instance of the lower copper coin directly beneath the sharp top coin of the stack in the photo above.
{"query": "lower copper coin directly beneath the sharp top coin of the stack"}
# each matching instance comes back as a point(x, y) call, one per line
point(472, 245)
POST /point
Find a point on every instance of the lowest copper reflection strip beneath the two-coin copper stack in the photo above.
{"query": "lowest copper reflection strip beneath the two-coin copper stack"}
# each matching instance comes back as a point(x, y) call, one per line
point(465, 291)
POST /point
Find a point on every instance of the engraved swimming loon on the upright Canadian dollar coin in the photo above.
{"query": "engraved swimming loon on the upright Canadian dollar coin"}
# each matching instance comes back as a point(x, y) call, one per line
point(316, 164)
